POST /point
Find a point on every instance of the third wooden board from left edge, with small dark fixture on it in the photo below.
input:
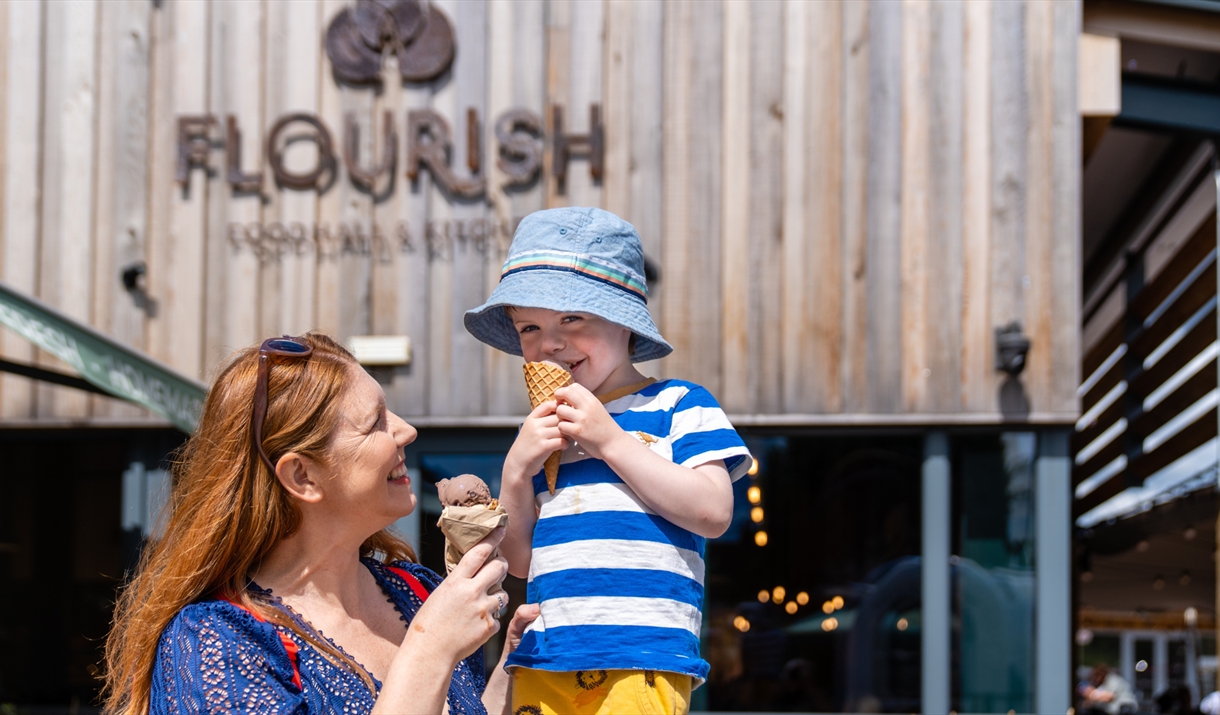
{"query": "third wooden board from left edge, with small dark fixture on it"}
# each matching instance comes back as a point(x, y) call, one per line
point(121, 179)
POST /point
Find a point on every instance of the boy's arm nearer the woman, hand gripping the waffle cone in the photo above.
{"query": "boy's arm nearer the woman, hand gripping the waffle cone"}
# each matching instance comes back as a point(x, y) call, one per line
point(539, 439)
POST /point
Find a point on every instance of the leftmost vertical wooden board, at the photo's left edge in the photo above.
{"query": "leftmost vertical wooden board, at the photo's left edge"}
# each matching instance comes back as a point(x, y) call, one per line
point(23, 181)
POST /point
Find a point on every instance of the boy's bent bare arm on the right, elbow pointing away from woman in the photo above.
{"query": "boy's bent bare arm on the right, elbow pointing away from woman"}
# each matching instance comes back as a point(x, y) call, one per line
point(700, 500)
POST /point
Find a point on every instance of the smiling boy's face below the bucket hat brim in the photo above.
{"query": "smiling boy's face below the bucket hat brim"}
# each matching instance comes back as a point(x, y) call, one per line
point(592, 350)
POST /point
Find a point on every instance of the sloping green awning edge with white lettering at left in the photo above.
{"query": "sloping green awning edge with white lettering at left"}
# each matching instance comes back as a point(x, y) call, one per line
point(115, 369)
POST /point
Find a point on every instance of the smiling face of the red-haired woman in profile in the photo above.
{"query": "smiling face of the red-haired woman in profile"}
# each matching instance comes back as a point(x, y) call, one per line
point(367, 478)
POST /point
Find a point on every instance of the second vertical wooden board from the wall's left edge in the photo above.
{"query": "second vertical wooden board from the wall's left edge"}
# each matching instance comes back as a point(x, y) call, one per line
point(69, 140)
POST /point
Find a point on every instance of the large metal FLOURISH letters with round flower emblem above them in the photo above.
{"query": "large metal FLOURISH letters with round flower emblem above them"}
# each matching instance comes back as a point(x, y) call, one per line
point(423, 41)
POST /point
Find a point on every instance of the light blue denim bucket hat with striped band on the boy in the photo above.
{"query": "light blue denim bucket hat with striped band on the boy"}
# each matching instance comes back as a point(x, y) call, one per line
point(574, 259)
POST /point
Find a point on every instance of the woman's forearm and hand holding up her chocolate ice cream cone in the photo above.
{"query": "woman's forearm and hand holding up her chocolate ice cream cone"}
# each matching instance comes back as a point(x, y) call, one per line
point(457, 619)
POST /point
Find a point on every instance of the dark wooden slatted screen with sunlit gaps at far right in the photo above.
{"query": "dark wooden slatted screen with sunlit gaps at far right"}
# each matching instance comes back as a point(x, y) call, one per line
point(1155, 364)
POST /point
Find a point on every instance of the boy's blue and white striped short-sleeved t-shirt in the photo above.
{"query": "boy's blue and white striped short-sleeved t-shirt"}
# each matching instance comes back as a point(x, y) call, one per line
point(620, 587)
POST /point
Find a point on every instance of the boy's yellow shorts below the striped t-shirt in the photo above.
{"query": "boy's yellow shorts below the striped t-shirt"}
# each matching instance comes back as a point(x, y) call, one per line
point(600, 692)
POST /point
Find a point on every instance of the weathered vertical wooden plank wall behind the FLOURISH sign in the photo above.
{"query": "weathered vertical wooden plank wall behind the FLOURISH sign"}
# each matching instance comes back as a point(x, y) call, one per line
point(845, 199)
